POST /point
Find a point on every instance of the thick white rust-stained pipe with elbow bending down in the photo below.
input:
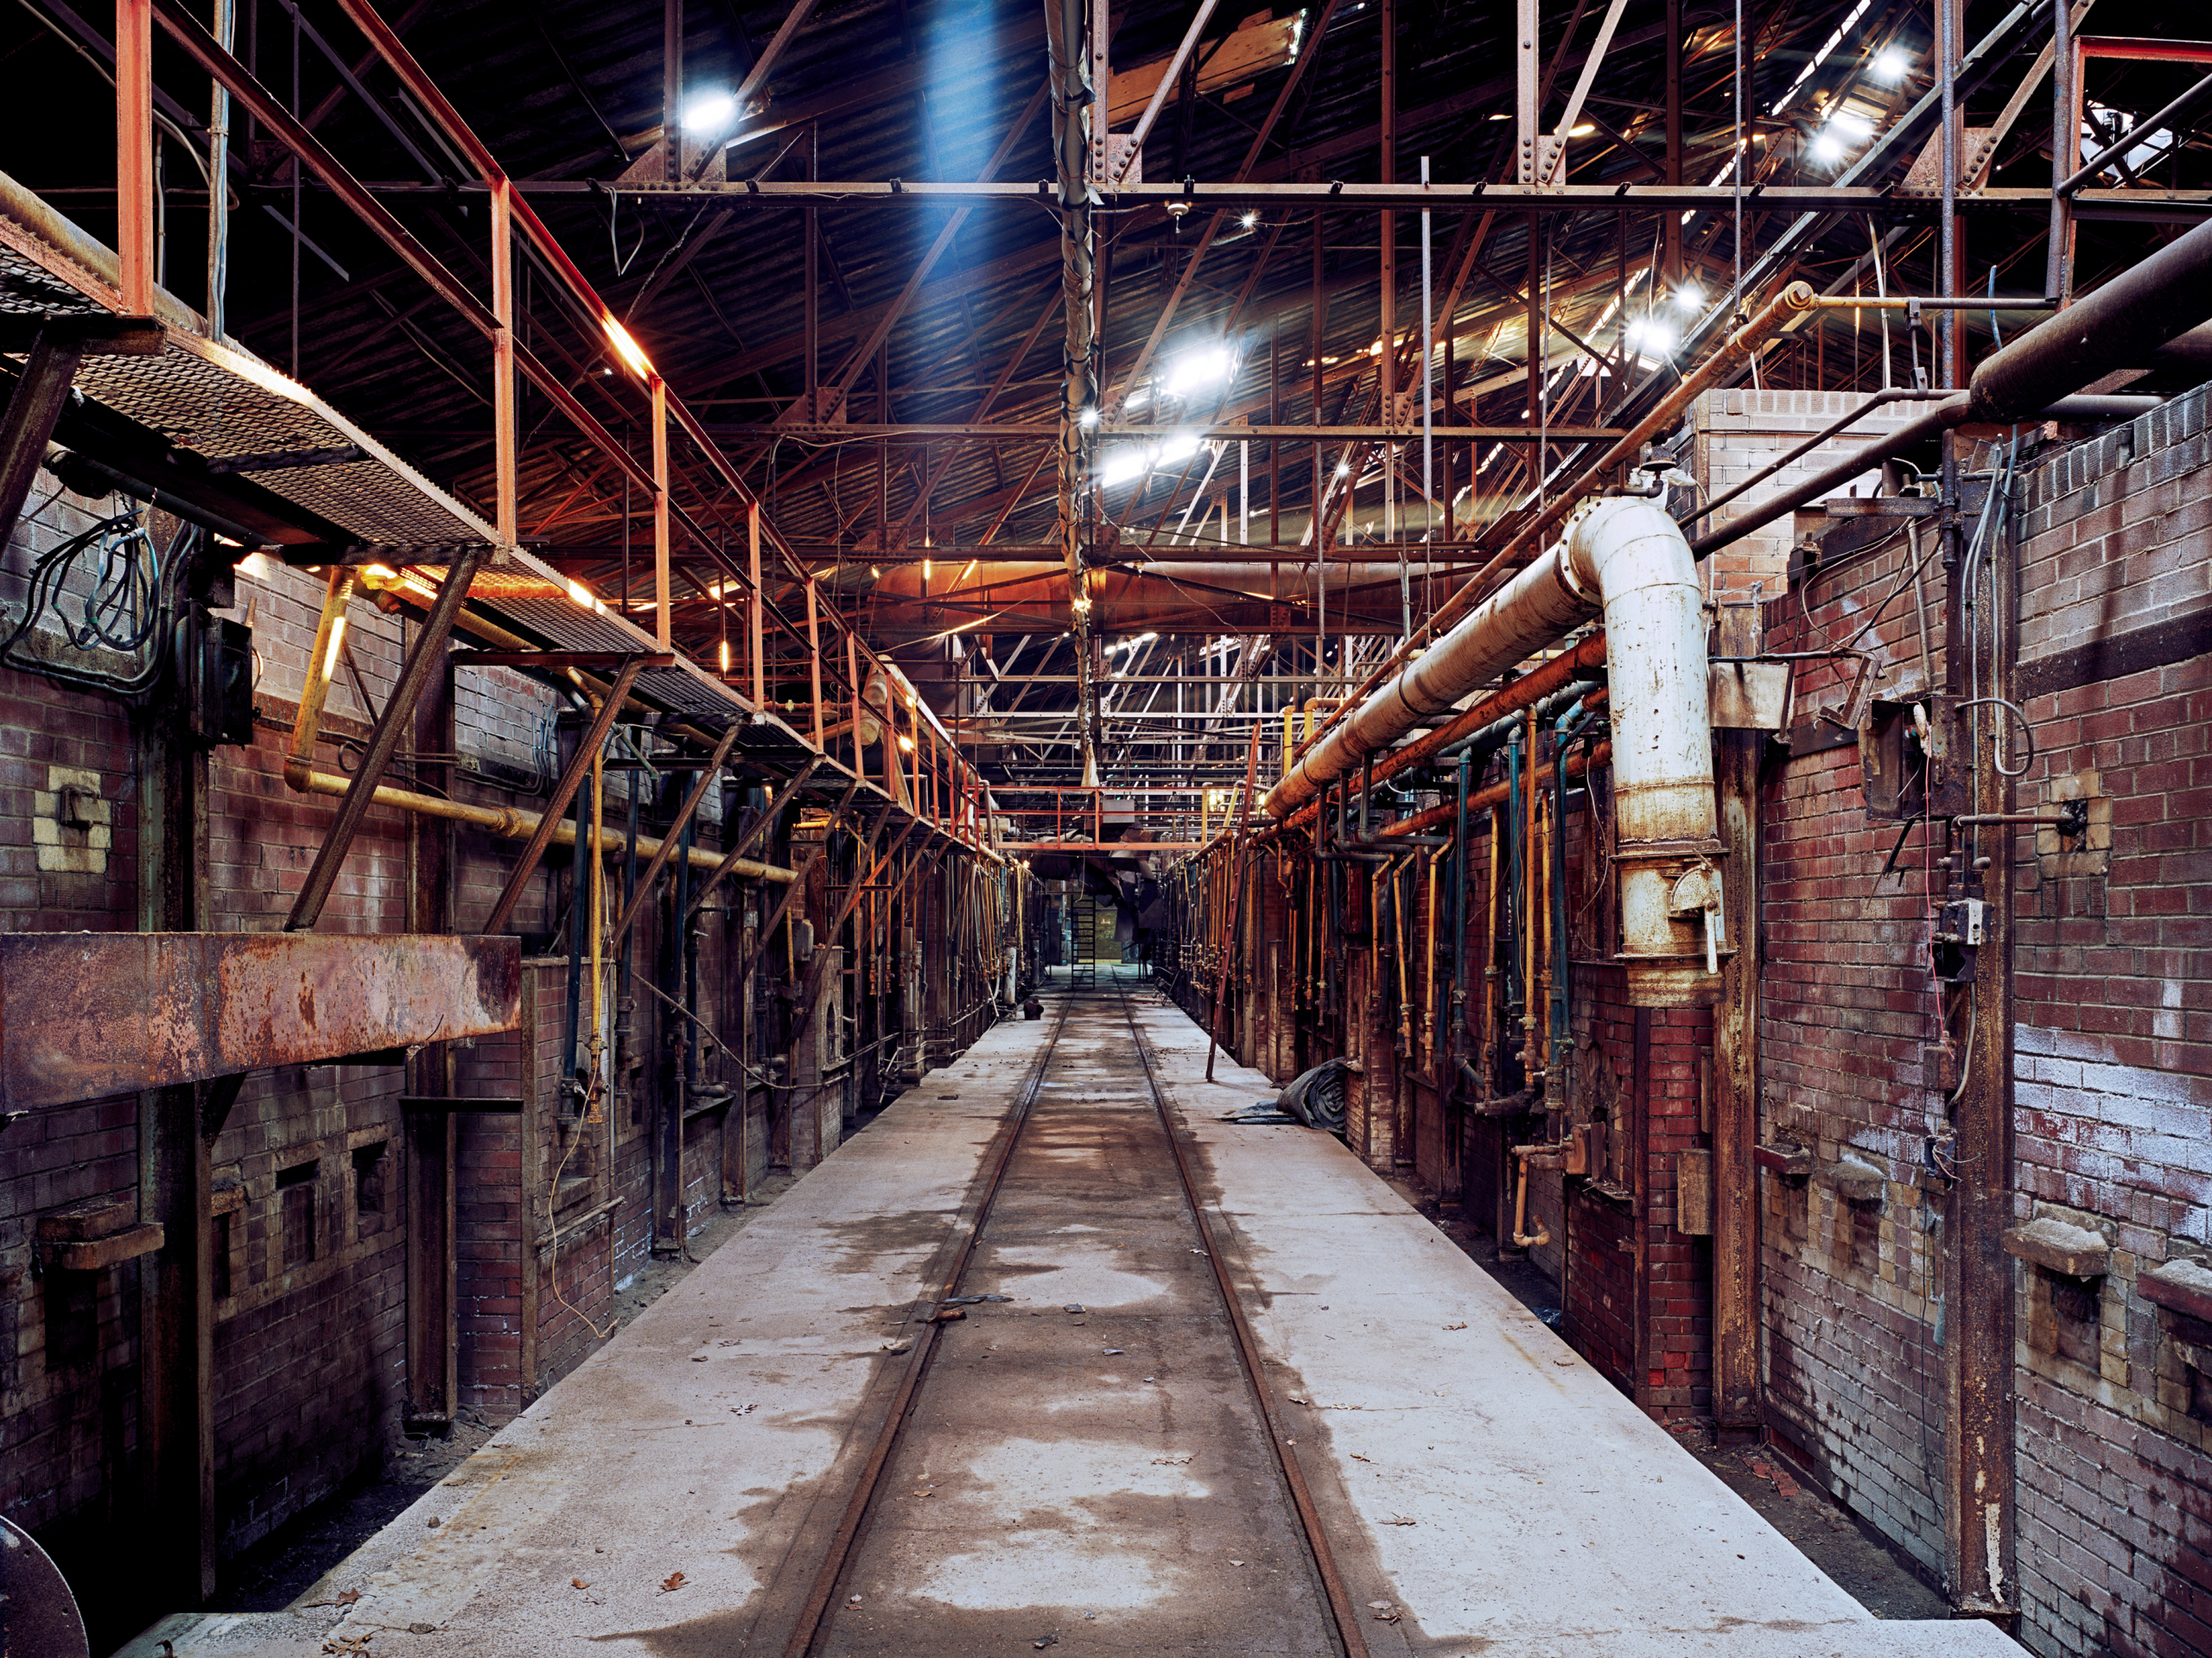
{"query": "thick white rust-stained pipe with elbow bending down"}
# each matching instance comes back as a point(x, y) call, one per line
point(1627, 558)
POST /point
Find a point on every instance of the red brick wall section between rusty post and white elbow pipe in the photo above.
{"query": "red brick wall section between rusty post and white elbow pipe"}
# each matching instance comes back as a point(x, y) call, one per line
point(1850, 1292)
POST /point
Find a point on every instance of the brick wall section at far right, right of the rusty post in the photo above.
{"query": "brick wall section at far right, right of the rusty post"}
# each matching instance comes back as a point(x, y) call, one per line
point(2114, 1049)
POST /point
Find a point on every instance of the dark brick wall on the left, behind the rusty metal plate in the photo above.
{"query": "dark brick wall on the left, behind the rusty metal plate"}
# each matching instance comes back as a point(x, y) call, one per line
point(311, 1186)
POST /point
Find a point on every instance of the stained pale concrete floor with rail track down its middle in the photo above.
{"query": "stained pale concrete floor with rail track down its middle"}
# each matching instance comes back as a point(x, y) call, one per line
point(974, 1387)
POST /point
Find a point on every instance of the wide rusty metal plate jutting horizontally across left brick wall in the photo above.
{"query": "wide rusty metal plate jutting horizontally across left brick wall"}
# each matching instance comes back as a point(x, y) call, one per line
point(85, 1016)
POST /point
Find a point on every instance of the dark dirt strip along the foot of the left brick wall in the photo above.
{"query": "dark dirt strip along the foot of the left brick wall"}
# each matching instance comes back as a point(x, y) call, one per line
point(286, 1564)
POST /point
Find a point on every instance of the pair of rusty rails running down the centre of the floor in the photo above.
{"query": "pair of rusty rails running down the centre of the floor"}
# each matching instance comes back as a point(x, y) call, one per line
point(1129, 1064)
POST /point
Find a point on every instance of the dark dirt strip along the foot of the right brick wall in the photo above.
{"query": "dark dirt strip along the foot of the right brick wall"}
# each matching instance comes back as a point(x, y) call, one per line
point(1824, 1533)
